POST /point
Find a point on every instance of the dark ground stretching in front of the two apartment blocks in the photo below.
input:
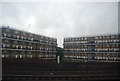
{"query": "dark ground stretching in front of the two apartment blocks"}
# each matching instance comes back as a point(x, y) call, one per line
point(92, 71)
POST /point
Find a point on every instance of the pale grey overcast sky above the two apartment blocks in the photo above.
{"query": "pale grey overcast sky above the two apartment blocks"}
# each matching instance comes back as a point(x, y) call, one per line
point(64, 19)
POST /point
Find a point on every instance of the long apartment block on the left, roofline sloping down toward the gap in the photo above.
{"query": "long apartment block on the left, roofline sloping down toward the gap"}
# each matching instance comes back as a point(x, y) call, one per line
point(22, 44)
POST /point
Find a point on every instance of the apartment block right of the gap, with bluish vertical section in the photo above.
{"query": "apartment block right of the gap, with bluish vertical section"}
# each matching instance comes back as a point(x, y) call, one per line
point(105, 47)
